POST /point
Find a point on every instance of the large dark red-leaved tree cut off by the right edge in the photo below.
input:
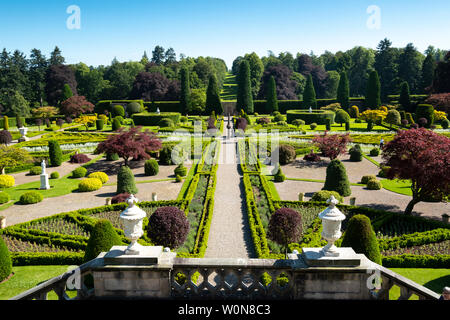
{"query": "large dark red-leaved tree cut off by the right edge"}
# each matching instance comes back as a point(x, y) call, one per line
point(422, 156)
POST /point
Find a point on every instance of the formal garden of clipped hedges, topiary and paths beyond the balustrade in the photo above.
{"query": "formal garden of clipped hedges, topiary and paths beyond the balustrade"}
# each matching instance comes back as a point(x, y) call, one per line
point(67, 171)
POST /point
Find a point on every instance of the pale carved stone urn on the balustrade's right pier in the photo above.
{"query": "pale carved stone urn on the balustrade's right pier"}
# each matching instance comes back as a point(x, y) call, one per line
point(332, 218)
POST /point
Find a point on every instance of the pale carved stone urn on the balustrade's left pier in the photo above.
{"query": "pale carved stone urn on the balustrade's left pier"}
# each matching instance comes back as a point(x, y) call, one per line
point(132, 218)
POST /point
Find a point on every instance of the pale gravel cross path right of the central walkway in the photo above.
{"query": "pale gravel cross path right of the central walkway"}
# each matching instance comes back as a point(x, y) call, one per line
point(380, 199)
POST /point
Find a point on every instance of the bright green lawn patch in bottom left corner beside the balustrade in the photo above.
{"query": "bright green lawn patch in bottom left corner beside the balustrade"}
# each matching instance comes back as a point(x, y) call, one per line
point(25, 278)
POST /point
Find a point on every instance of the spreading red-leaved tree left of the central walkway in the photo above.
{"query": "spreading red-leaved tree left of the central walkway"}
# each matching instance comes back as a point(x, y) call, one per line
point(133, 143)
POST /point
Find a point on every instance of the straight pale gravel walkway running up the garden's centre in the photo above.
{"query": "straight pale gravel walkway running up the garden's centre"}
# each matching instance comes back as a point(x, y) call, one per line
point(229, 236)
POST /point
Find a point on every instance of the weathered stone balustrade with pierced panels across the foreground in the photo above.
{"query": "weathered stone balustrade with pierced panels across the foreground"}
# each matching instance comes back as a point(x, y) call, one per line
point(168, 277)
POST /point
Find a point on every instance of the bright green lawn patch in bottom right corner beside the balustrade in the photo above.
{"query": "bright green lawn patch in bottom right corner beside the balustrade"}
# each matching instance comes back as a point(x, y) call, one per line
point(433, 279)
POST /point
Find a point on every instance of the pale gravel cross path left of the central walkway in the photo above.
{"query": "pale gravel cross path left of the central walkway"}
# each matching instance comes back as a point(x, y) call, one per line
point(165, 190)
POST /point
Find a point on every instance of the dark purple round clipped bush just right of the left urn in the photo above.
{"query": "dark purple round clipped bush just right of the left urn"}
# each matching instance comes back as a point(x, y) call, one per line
point(168, 226)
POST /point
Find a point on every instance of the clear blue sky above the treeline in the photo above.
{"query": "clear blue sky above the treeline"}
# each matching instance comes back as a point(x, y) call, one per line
point(224, 29)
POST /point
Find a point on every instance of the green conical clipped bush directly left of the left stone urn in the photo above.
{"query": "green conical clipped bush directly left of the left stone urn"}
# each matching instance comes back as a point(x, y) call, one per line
point(102, 238)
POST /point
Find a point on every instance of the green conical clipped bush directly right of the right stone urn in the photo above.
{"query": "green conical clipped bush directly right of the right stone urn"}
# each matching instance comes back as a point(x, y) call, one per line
point(361, 237)
